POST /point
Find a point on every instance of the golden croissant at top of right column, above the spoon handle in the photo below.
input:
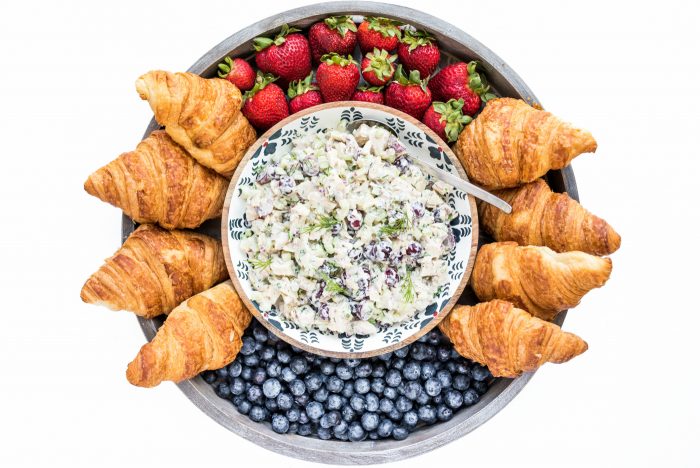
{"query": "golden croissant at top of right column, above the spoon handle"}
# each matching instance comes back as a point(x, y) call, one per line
point(511, 143)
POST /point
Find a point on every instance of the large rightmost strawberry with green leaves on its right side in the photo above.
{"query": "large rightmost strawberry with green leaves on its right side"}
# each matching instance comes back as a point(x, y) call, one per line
point(461, 81)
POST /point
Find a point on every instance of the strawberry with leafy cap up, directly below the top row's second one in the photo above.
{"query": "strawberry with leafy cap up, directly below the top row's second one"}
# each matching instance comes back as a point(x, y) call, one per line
point(337, 77)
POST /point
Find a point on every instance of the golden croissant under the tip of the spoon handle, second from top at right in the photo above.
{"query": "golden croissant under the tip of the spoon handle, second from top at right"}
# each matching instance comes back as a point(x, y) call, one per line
point(541, 217)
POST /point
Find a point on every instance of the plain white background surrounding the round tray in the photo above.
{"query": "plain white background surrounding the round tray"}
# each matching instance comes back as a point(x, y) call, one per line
point(629, 72)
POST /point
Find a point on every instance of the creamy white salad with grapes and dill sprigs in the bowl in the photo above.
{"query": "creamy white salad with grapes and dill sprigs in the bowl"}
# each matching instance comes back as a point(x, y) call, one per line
point(346, 235)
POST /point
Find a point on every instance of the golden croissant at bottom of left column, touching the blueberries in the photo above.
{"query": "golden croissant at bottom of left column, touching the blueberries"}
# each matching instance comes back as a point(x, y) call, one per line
point(202, 333)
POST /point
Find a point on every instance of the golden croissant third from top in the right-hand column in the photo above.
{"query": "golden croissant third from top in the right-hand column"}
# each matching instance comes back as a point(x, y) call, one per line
point(536, 279)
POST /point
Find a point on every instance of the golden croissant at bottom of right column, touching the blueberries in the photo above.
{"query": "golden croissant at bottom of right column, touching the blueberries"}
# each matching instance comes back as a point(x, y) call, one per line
point(508, 340)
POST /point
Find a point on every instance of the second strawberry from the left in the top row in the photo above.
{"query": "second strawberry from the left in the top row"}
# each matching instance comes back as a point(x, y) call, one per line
point(334, 34)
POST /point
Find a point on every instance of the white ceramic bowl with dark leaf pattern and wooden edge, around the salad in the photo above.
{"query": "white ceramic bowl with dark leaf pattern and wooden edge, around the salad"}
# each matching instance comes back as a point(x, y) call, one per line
point(421, 143)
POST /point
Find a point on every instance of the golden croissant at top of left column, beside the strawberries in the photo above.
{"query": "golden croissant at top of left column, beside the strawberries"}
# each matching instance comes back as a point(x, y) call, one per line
point(203, 115)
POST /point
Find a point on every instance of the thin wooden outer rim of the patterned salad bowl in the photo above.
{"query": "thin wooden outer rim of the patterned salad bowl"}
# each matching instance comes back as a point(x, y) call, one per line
point(229, 245)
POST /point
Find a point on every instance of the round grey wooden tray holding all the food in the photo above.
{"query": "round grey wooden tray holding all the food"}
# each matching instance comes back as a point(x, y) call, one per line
point(456, 45)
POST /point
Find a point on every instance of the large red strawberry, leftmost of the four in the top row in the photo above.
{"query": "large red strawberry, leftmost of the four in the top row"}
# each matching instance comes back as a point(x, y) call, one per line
point(286, 56)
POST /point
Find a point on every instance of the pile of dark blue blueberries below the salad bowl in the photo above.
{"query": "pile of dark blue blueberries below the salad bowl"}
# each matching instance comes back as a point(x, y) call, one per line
point(348, 399)
